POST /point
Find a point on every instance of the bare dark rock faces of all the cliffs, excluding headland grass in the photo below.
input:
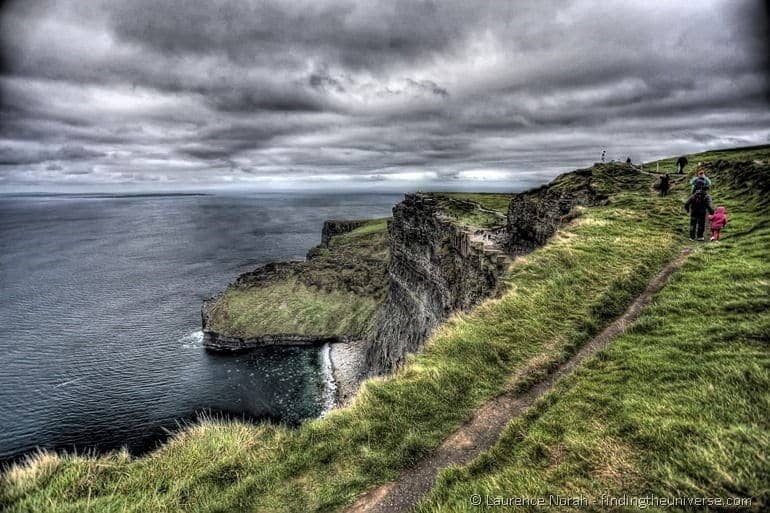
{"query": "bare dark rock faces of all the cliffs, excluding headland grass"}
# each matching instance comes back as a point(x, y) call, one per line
point(437, 266)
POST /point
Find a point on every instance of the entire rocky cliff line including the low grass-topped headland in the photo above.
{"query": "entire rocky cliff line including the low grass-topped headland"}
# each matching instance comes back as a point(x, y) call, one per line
point(447, 252)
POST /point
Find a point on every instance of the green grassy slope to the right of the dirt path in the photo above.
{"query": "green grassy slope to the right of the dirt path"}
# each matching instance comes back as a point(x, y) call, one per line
point(678, 406)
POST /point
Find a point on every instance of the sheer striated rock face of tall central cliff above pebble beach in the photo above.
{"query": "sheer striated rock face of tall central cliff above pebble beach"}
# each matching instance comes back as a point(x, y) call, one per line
point(435, 268)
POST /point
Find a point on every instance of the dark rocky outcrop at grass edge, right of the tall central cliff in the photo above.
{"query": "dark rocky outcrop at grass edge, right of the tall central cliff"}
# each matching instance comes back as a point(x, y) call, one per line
point(534, 216)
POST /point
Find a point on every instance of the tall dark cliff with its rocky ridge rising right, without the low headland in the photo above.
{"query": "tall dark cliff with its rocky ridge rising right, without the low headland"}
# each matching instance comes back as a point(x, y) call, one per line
point(448, 252)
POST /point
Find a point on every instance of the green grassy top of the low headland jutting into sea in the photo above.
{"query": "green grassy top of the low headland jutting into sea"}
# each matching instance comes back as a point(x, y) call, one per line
point(335, 293)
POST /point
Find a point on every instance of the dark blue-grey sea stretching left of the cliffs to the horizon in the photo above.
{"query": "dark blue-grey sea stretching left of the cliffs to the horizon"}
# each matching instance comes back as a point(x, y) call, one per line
point(101, 344)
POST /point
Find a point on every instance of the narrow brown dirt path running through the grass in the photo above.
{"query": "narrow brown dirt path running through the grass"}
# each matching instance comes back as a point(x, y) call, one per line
point(488, 422)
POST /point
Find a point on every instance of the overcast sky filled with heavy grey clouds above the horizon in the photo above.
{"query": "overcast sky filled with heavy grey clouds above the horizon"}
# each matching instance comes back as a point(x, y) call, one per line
point(393, 94)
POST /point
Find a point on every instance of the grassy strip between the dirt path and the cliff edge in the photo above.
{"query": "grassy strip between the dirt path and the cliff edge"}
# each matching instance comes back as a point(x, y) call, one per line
point(561, 294)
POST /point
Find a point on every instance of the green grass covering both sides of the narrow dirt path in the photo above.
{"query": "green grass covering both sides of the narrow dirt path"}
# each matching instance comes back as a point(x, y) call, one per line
point(558, 296)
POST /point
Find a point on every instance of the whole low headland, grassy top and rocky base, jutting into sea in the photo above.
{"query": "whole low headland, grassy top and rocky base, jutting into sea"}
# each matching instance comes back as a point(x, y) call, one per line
point(330, 297)
